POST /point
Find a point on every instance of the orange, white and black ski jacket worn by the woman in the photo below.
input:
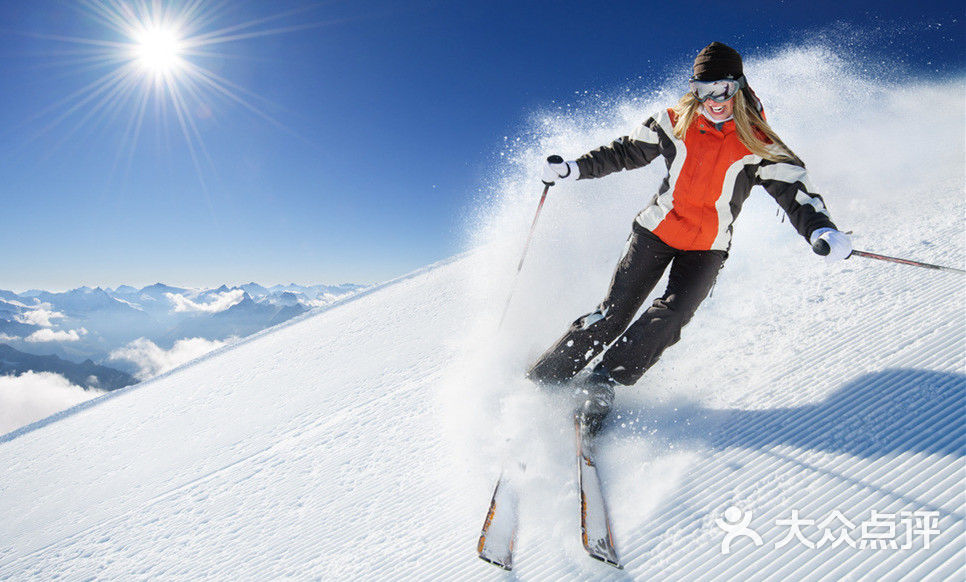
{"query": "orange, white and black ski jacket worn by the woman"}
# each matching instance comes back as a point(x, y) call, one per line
point(710, 175)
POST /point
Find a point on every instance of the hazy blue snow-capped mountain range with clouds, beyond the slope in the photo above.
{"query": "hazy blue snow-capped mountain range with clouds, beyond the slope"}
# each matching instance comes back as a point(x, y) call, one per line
point(87, 324)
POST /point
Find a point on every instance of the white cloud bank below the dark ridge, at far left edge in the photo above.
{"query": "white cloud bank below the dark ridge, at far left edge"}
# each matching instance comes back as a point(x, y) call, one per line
point(36, 395)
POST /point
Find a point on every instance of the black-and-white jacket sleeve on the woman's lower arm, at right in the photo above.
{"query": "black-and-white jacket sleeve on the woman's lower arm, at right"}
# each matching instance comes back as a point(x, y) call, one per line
point(788, 184)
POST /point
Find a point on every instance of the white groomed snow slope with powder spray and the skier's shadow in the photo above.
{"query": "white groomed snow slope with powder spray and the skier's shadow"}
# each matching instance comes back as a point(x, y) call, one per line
point(361, 442)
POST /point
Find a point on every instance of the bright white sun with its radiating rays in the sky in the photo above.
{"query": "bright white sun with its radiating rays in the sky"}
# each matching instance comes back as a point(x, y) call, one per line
point(148, 63)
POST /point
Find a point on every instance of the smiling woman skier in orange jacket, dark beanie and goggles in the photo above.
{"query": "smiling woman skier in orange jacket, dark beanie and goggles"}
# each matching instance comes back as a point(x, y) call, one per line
point(717, 146)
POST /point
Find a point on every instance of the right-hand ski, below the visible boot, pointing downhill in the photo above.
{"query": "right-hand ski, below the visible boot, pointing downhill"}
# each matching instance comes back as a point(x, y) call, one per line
point(594, 521)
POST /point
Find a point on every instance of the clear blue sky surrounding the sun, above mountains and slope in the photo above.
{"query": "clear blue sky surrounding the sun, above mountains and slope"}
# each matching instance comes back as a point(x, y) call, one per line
point(349, 140)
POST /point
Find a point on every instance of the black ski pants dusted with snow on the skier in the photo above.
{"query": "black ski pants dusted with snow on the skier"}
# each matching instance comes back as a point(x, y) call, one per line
point(634, 347)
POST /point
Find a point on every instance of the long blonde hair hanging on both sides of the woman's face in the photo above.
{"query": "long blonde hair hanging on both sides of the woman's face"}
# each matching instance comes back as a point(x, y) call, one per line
point(749, 124)
